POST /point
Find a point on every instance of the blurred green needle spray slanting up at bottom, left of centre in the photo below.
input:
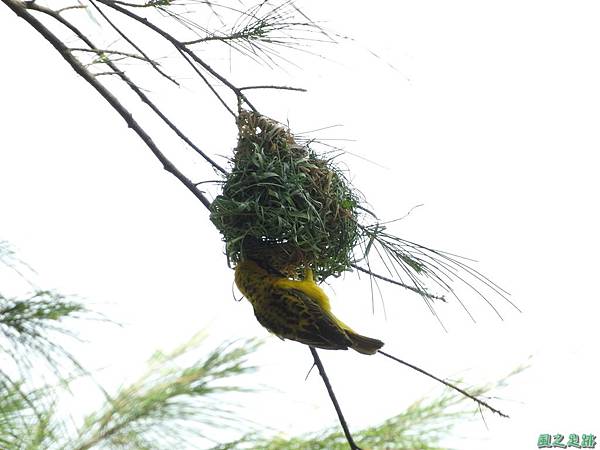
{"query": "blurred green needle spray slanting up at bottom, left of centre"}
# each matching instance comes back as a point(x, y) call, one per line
point(171, 405)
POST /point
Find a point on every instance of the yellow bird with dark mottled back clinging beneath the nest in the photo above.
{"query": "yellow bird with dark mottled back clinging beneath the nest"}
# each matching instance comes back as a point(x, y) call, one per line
point(297, 309)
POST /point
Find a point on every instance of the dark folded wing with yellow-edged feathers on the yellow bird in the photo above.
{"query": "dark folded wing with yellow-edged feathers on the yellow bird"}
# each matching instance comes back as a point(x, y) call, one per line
point(292, 314)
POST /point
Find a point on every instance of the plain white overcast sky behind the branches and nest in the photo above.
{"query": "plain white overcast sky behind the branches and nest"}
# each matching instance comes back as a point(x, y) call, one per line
point(489, 117)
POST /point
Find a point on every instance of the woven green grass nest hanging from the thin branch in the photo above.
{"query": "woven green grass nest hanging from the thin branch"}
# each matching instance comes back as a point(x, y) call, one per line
point(284, 204)
